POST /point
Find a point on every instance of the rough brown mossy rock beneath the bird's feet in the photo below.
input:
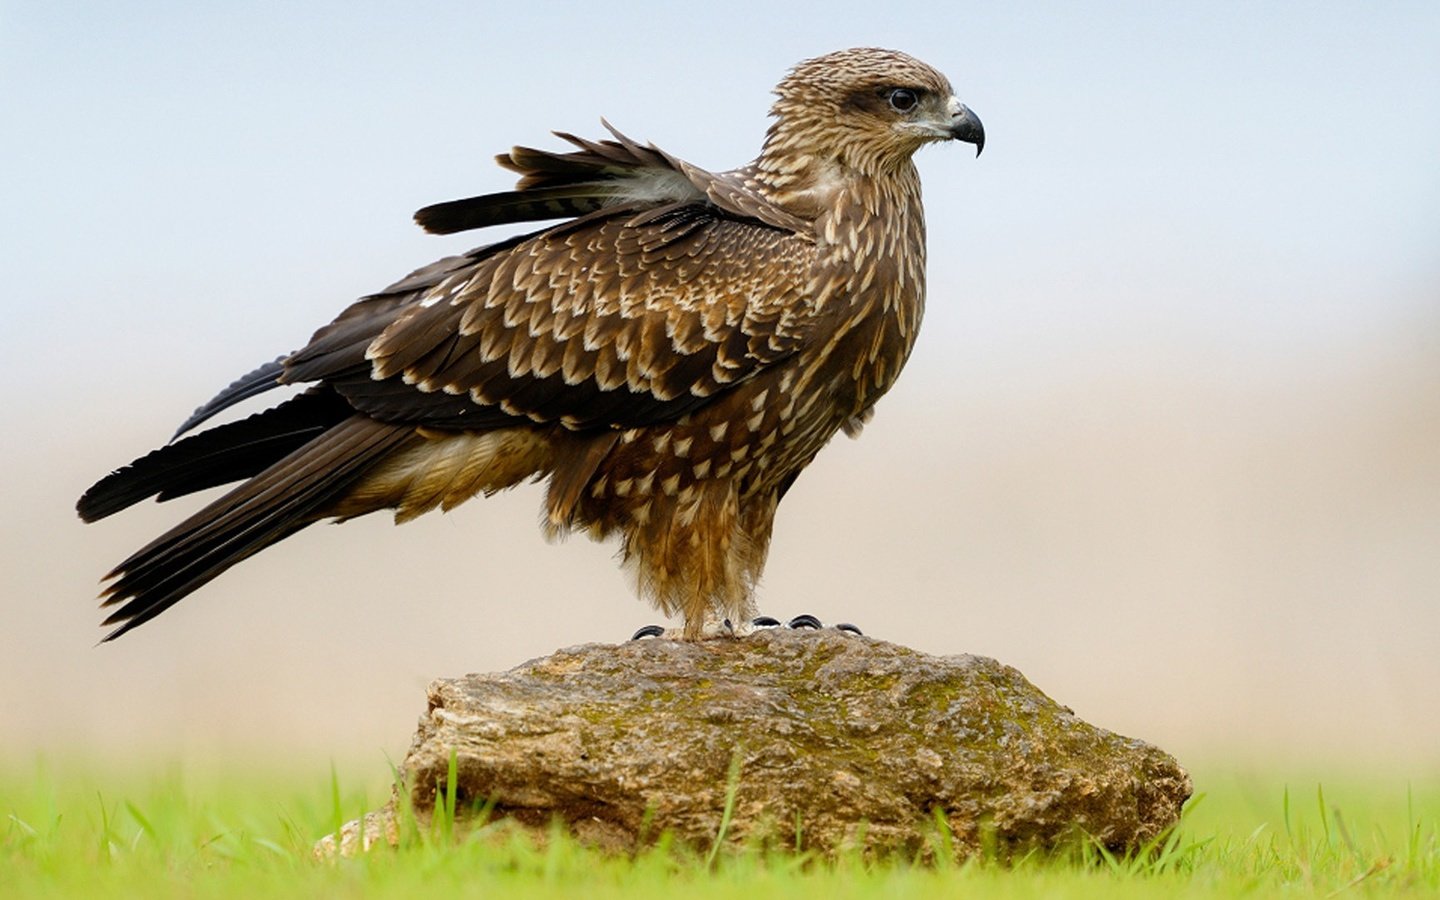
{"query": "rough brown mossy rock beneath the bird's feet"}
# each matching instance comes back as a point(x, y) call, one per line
point(836, 742)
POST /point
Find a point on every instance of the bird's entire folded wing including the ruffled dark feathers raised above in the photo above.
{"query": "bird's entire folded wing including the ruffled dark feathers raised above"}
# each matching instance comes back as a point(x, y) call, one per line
point(669, 287)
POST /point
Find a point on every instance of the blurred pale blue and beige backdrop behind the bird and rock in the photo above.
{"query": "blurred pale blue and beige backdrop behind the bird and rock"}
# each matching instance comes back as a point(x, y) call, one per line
point(1170, 443)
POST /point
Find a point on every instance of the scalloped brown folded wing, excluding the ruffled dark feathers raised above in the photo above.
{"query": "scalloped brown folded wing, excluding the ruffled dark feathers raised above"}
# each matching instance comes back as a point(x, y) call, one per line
point(629, 316)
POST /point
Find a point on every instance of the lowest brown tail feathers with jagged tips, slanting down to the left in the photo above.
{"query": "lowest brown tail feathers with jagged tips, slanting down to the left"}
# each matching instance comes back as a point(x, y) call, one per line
point(296, 492)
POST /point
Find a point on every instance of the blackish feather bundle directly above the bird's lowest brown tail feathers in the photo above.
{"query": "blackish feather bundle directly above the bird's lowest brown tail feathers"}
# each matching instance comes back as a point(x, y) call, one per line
point(221, 456)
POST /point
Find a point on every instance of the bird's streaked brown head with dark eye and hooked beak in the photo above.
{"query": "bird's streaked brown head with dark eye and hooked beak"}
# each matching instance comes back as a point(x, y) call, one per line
point(866, 109)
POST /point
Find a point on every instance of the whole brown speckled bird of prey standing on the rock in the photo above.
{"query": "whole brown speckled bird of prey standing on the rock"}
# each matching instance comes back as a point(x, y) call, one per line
point(669, 356)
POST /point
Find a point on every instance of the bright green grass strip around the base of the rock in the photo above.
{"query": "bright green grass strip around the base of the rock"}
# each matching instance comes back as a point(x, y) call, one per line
point(83, 832)
